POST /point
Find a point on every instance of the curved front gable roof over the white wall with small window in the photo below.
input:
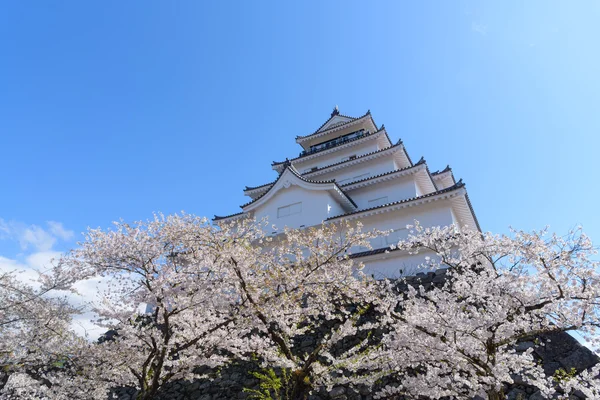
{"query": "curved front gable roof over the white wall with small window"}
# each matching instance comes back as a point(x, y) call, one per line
point(291, 173)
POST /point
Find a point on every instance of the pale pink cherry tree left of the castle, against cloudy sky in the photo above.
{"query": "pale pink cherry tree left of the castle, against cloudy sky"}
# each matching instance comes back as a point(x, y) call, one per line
point(168, 264)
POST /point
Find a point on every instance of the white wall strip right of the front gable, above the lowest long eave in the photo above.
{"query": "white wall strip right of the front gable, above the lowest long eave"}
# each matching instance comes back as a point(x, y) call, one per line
point(398, 189)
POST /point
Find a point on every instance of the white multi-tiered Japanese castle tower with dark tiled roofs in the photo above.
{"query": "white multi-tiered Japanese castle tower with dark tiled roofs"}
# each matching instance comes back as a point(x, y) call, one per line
point(349, 169)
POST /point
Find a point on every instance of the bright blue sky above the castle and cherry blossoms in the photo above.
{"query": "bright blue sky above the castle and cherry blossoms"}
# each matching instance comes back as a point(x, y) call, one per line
point(114, 109)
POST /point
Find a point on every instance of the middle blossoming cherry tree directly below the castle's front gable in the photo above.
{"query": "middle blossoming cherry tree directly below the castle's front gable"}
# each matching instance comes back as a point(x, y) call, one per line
point(301, 284)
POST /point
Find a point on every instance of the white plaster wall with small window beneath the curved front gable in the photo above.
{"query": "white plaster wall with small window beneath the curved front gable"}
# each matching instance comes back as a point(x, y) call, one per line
point(314, 207)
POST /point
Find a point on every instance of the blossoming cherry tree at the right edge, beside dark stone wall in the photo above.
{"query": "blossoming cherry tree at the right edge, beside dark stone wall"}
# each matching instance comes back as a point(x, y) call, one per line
point(458, 339)
